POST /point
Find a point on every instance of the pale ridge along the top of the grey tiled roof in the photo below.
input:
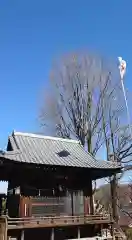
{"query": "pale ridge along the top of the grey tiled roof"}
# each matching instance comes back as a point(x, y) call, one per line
point(33, 135)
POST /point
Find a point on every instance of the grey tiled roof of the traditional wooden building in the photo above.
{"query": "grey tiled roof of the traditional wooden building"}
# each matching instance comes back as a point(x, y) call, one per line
point(39, 149)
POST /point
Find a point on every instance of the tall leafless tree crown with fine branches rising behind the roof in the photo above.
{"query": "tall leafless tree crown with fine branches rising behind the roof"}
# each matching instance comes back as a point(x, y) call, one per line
point(86, 102)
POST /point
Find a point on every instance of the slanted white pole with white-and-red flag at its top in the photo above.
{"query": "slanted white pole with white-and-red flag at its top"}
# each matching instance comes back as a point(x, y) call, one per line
point(122, 68)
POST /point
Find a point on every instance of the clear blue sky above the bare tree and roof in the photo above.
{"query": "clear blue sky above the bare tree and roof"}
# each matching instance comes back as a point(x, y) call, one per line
point(33, 33)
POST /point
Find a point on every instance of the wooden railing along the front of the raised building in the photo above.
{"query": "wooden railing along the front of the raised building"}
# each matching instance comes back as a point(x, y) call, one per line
point(36, 222)
